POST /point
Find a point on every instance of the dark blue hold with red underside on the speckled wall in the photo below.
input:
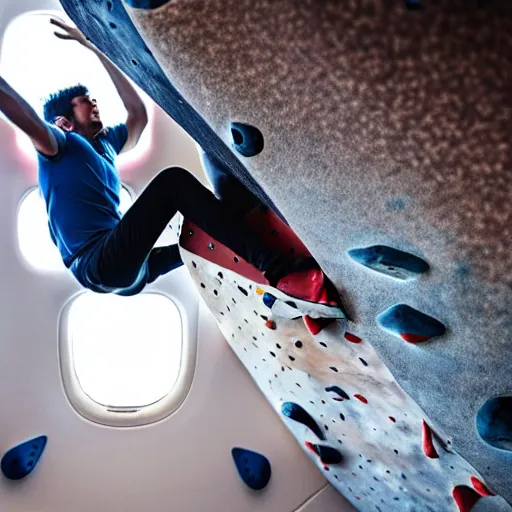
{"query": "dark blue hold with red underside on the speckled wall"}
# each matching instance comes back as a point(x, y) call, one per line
point(410, 324)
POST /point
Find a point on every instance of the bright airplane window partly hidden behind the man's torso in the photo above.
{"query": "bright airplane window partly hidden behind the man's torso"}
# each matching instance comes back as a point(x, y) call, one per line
point(34, 241)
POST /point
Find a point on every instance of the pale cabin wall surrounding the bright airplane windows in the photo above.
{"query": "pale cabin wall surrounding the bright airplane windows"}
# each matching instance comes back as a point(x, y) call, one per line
point(182, 463)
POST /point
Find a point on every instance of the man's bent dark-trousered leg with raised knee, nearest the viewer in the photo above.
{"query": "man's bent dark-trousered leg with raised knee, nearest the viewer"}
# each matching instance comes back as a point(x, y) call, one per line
point(128, 247)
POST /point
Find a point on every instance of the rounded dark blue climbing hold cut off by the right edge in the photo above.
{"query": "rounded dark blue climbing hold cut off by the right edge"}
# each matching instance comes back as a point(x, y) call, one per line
point(494, 422)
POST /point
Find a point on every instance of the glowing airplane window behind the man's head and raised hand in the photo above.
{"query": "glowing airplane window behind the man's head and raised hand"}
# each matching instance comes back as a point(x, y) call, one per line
point(41, 64)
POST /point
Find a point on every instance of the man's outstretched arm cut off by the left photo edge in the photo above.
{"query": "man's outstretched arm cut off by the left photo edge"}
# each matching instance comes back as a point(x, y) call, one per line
point(25, 118)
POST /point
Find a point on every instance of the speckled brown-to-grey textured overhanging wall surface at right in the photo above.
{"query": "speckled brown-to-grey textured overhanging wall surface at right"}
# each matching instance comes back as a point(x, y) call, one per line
point(385, 126)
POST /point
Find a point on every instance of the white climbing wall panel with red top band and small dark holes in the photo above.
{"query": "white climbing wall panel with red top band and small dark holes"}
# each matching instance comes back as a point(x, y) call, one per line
point(332, 390)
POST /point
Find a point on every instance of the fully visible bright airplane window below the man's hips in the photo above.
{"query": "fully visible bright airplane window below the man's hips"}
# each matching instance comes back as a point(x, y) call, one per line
point(126, 351)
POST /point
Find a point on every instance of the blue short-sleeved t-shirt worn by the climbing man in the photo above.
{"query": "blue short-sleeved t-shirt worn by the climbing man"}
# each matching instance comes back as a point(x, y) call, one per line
point(81, 188)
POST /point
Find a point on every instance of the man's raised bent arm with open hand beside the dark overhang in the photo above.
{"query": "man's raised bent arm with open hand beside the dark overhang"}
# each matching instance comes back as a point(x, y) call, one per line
point(137, 116)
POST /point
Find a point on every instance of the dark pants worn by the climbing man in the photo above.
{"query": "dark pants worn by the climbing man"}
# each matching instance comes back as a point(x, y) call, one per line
point(124, 261)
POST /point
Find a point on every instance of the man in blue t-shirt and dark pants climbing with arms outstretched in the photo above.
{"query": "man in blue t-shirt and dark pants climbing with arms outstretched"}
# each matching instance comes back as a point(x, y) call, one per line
point(80, 184)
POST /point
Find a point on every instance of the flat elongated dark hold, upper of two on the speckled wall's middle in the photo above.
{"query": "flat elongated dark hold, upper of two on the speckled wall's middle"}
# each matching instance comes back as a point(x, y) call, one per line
point(390, 261)
